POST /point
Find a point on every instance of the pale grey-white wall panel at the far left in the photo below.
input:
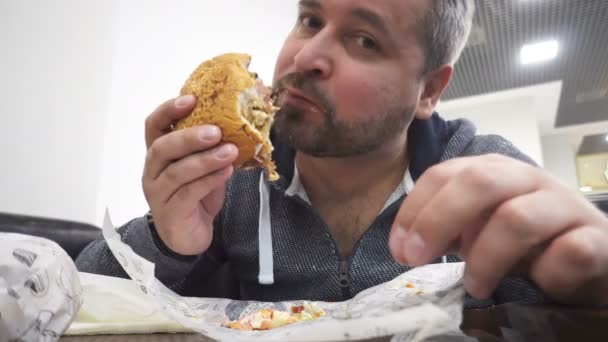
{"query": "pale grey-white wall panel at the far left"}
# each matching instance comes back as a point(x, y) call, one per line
point(55, 68)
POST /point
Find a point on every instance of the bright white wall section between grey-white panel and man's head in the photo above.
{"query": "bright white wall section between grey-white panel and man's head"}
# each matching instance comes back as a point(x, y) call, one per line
point(159, 43)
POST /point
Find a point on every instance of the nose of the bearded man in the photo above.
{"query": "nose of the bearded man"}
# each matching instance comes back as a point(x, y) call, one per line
point(314, 57)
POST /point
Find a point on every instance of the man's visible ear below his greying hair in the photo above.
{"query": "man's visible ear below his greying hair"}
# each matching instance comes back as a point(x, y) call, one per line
point(434, 83)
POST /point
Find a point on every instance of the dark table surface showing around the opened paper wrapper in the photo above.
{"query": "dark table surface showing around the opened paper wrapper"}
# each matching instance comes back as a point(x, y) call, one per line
point(503, 323)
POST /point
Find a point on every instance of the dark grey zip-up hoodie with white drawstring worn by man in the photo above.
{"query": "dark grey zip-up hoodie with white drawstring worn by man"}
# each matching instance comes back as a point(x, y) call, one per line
point(298, 258)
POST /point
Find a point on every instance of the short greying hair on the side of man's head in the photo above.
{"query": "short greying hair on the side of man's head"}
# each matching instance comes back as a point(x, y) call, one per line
point(445, 30)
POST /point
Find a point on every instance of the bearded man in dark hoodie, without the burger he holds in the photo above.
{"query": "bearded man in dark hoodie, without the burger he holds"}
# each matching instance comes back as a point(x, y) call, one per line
point(360, 80)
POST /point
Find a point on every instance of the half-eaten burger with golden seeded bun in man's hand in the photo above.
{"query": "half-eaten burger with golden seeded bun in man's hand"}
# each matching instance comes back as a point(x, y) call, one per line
point(237, 101)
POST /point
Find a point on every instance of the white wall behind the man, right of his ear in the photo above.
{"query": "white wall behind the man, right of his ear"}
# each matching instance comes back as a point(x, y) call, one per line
point(526, 116)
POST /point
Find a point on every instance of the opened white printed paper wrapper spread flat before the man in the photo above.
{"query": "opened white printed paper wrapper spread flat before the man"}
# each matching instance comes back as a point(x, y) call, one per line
point(421, 303)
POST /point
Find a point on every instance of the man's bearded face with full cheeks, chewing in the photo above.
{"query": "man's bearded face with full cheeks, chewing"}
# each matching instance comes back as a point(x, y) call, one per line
point(348, 75)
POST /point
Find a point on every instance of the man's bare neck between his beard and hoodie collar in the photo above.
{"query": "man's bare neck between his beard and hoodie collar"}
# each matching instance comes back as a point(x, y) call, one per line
point(344, 178)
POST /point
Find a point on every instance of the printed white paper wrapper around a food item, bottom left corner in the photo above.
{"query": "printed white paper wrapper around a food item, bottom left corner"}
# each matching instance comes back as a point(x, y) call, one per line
point(40, 291)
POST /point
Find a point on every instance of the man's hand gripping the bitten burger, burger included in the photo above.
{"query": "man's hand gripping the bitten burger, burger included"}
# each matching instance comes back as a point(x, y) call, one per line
point(221, 122)
